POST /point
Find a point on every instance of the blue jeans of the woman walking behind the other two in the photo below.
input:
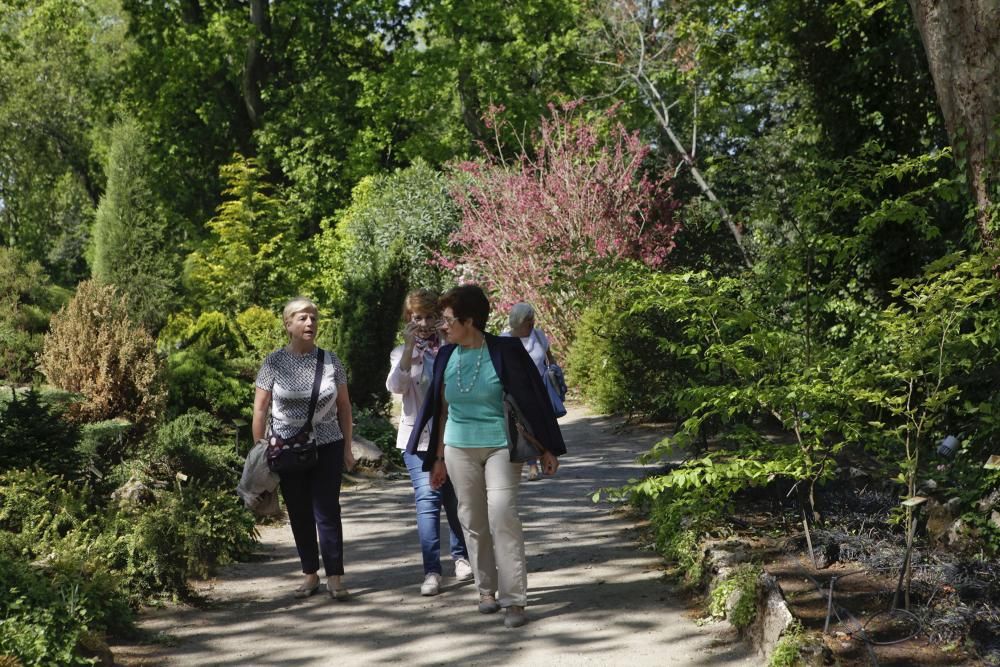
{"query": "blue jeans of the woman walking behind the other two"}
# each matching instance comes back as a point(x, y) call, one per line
point(429, 503)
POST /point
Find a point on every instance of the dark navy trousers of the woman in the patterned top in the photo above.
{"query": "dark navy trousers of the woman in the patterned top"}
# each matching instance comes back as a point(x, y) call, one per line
point(312, 499)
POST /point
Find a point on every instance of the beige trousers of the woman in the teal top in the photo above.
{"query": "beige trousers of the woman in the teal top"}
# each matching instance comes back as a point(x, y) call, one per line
point(486, 483)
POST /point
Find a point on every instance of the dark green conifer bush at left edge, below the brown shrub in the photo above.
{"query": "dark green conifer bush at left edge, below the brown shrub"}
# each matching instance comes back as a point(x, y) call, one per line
point(34, 434)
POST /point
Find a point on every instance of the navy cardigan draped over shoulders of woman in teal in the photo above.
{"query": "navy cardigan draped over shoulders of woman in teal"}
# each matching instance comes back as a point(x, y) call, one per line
point(519, 377)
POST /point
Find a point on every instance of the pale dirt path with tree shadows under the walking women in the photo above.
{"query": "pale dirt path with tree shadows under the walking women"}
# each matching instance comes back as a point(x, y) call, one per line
point(595, 598)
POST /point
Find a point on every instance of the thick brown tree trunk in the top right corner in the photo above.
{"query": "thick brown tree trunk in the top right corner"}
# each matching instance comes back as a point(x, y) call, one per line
point(962, 41)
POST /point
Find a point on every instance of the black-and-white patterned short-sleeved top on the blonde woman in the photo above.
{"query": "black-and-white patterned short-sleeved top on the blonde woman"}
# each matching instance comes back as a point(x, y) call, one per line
point(289, 377)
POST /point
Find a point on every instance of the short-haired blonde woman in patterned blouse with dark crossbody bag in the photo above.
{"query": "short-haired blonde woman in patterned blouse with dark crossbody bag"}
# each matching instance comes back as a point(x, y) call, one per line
point(312, 498)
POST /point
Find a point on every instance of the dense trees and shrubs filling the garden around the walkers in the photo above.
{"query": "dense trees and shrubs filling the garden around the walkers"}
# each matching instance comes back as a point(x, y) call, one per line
point(749, 217)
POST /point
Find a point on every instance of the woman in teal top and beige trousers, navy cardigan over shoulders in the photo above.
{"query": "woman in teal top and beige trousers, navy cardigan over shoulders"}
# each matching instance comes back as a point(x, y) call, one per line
point(466, 398)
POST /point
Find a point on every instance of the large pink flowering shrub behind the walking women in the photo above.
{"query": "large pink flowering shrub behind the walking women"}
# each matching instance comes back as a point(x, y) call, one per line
point(538, 225)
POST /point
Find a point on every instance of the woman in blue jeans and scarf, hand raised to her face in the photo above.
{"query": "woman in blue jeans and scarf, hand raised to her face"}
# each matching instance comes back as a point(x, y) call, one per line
point(409, 376)
